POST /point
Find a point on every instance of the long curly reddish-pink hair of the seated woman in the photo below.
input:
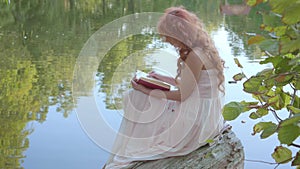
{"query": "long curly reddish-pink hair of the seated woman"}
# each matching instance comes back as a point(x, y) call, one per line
point(185, 27)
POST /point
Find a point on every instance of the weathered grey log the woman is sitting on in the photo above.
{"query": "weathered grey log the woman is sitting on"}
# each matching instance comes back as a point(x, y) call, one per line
point(225, 152)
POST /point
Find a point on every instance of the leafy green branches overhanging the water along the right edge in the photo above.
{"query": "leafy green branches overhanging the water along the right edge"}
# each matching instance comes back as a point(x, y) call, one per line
point(275, 88)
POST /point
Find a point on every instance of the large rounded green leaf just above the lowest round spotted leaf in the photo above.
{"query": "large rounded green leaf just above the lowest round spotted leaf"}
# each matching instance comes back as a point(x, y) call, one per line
point(288, 133)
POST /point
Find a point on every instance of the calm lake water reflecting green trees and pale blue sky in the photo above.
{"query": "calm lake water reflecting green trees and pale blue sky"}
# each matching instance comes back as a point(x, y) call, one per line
point(53, 75)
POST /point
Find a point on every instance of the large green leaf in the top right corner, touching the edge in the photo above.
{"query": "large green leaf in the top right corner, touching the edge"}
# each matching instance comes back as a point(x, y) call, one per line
point(291, 14)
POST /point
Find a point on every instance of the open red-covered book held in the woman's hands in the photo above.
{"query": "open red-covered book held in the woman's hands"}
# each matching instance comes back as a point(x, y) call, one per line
point(149, 82)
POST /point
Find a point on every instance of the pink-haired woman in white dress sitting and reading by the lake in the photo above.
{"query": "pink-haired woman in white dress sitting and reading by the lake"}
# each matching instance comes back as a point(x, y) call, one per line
point(159, 124)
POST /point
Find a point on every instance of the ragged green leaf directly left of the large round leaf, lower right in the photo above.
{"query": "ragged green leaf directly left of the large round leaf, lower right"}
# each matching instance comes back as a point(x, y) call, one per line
point(268, 129)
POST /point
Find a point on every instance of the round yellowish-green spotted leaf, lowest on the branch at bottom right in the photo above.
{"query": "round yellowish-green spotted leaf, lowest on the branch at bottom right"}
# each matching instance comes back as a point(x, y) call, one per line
point(282, 154)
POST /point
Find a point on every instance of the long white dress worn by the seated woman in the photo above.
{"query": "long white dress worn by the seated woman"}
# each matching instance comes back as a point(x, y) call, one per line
point(155, 128)
